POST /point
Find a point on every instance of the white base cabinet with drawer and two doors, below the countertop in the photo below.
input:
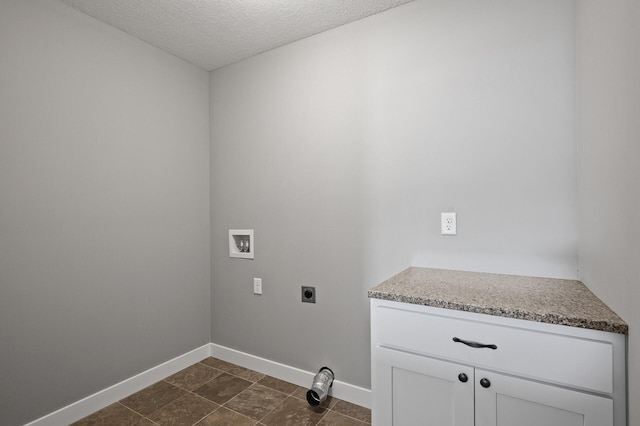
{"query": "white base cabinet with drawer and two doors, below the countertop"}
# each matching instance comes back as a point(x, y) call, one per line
point(532, 374)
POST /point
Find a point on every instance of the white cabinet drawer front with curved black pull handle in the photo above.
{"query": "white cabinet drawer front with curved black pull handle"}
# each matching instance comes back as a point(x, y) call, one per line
point(555, 358)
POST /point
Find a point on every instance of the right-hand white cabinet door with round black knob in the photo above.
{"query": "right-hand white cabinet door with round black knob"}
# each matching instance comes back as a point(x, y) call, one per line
point(509, 401)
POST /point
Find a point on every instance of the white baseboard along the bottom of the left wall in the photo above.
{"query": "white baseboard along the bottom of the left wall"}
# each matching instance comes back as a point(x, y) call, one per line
point(108, 396)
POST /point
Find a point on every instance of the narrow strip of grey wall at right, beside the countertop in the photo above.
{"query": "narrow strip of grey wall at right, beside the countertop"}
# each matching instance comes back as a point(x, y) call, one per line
point(609, 150)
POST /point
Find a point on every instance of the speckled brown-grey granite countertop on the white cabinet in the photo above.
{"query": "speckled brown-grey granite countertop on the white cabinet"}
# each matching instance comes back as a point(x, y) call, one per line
point(554, 301)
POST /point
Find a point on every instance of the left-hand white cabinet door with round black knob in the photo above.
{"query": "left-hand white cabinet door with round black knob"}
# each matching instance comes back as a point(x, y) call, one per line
point(413, 390)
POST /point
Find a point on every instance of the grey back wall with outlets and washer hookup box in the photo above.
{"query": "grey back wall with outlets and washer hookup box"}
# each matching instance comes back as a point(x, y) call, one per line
point(341, 150)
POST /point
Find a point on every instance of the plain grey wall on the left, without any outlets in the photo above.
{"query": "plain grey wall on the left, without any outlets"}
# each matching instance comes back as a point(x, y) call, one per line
point(104, 207)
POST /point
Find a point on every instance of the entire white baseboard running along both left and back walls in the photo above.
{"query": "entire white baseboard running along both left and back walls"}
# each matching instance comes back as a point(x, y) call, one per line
point(108, 396)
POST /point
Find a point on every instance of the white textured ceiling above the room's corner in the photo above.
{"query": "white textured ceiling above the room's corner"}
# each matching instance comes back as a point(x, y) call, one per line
point(214, 33)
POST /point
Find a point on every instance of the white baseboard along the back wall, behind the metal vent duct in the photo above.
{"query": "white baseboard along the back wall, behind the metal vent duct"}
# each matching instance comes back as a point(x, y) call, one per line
point(341, 390)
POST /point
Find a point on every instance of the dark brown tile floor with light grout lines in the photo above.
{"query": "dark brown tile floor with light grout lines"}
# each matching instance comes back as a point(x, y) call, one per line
point(214, 392)
